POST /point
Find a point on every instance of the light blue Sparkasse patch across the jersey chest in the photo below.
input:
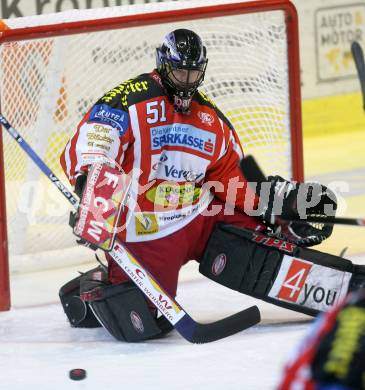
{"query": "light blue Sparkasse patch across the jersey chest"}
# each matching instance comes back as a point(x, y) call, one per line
point(180, 134)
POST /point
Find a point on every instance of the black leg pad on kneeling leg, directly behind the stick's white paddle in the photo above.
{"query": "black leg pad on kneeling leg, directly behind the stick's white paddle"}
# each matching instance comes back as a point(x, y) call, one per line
point(124, 312)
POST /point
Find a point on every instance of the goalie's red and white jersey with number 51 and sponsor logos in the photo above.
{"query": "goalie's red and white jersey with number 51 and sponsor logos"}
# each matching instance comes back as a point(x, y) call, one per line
point(178, 162)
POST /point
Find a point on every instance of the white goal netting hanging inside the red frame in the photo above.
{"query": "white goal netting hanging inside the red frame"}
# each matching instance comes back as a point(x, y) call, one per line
point(48, 84)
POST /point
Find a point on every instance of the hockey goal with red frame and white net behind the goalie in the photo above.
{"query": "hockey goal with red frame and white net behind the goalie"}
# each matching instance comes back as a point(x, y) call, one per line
point(55, 66)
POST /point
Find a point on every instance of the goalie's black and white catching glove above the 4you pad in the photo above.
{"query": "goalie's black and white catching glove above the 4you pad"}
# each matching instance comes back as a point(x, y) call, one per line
point(288, 203)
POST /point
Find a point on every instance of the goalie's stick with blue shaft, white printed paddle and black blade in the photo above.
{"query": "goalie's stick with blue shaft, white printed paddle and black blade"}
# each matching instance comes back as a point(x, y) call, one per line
point(168, 306)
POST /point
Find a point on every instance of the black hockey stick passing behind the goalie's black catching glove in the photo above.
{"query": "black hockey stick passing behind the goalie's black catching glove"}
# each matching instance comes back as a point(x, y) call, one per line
point(254, 174)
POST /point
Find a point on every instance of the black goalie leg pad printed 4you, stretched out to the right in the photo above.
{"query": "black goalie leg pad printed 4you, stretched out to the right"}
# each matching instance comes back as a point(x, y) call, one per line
point(279, 272)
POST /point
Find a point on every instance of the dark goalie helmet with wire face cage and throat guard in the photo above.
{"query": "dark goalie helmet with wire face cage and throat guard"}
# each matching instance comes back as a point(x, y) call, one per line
point(181, 62)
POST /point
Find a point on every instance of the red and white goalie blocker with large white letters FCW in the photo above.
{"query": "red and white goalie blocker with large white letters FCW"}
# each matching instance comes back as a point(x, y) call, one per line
point(103, 195)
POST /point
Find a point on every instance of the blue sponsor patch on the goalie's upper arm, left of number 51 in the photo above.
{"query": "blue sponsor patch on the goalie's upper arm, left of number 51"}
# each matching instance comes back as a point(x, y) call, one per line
point(102, 113)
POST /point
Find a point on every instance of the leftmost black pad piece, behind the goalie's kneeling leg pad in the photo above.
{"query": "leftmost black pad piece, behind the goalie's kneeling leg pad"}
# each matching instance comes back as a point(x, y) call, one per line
point(77, 311)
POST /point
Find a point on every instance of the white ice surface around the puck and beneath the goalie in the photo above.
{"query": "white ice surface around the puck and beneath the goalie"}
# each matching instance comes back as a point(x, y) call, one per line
point(38, 347)
